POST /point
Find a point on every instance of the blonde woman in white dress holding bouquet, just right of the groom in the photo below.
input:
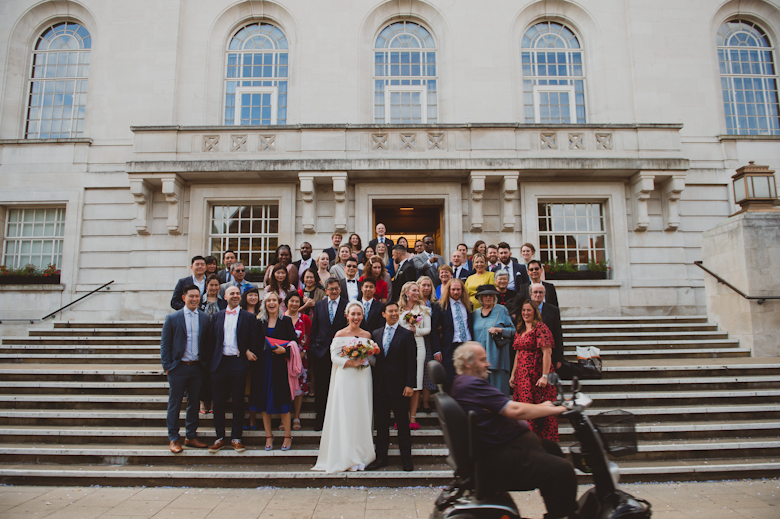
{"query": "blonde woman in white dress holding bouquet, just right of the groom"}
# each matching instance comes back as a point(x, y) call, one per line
point(415, 317)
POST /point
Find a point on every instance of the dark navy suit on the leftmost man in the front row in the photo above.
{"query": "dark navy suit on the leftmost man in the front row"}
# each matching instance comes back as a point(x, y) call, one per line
point(182, 377)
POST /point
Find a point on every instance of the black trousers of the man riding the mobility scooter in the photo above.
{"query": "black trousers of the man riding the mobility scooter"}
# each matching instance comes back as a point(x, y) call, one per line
point(528, 463)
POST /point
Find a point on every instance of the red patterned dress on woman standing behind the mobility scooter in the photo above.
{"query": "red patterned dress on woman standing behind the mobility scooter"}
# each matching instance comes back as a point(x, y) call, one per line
point(528, 371)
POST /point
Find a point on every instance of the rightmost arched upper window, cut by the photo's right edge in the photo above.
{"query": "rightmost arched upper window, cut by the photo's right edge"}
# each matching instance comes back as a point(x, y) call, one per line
point(748, 79)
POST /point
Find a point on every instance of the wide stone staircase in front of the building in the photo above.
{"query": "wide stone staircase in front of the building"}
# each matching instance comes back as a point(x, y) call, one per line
point(84, 403)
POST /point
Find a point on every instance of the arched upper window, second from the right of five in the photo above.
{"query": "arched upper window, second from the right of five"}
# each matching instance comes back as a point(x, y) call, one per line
point(553, 75)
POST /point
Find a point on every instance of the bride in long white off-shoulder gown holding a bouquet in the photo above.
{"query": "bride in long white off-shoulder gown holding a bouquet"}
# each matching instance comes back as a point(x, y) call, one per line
point(347, 437)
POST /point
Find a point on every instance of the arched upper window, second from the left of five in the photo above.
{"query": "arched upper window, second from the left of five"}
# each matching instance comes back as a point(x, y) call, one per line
point(256, 76)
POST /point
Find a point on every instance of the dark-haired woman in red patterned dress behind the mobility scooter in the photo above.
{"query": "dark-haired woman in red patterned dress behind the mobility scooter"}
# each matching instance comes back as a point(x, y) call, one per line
point(534, 343)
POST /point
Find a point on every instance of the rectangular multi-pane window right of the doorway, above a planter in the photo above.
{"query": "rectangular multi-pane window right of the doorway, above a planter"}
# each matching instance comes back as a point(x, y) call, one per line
point(572, 232)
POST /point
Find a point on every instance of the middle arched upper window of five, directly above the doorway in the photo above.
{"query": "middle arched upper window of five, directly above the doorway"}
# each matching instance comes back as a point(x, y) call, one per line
point(405, 78)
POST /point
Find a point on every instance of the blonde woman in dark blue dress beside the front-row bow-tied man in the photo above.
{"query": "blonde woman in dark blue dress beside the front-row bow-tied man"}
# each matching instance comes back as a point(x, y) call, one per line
point(270, 390)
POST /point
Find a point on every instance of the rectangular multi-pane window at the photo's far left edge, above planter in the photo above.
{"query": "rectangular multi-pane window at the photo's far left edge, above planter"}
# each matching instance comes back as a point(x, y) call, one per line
point(34, 236)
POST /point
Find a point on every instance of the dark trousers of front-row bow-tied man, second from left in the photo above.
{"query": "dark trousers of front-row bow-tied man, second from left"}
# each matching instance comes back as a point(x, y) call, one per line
point(229, 380)
